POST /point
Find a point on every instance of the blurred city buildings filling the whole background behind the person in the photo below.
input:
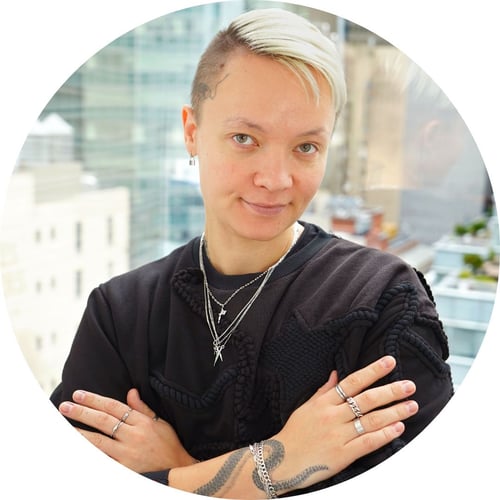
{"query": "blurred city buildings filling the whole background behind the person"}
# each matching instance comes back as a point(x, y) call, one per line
point(103, 185)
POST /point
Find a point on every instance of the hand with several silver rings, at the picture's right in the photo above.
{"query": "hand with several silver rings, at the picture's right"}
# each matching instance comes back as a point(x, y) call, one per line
point(320, 438)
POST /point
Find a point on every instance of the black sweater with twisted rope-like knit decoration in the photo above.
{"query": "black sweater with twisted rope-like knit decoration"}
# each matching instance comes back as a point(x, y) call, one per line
point(331, 304)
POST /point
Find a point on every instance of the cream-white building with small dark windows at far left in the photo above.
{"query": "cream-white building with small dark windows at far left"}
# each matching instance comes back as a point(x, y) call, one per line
point(59, 238)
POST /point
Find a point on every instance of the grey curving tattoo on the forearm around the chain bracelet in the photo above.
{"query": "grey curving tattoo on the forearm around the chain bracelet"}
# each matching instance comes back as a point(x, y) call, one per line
point(231, 468)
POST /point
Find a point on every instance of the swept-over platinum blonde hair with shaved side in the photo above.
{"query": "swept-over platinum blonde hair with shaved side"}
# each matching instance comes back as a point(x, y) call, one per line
point(281, 35)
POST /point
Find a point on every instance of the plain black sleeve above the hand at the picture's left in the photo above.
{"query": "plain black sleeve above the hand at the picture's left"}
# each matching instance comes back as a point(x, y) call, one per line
point(95, 362)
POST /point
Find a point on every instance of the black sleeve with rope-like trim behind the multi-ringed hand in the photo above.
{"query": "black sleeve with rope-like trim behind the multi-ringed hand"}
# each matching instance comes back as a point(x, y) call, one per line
point(408, 328)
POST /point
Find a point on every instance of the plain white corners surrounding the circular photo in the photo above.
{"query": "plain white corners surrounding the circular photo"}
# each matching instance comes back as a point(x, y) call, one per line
point(44, 42)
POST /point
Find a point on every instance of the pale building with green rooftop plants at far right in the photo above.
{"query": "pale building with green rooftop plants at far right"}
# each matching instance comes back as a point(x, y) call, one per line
point(464, 278)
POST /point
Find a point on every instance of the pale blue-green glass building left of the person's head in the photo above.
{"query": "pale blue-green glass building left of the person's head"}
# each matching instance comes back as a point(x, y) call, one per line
point(124, 105)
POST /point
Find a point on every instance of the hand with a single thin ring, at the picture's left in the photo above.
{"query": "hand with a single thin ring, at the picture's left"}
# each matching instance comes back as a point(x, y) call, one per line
point(141, 442)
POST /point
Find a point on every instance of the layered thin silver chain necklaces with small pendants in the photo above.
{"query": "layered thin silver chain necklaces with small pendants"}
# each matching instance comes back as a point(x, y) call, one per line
point(220, 339)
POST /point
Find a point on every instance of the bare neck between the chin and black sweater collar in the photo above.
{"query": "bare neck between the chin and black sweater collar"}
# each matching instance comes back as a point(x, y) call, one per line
point(239, 256)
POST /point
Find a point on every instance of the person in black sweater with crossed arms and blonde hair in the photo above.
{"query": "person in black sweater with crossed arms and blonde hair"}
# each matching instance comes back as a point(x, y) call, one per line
point(266, 357)
